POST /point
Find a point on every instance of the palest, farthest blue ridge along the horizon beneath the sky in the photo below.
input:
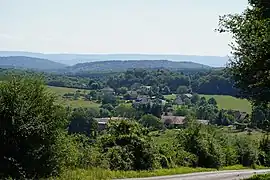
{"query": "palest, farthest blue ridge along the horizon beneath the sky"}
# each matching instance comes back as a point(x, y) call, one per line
point(72, 59)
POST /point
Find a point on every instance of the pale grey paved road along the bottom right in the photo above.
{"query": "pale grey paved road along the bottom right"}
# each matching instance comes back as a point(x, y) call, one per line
point(218, 175)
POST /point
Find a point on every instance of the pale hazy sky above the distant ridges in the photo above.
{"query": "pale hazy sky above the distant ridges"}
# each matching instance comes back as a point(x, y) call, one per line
point(116, 26)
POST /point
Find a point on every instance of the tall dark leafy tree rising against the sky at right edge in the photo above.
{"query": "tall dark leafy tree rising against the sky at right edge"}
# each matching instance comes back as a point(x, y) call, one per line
point(250, 64)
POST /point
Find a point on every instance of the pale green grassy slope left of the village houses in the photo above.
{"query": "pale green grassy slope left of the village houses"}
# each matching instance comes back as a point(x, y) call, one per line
point(60, 91)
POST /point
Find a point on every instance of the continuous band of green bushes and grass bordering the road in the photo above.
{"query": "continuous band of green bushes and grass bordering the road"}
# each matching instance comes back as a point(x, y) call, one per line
point(62, 139)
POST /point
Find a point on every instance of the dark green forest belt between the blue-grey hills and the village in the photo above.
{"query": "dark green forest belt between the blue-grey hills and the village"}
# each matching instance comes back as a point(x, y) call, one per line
point(216, 82)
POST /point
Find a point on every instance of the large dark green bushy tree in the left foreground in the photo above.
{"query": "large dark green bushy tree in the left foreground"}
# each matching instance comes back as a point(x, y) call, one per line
point(33, 142)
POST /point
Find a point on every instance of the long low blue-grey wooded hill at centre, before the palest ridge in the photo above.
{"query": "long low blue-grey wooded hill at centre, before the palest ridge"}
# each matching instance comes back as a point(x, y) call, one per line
point(117, 65)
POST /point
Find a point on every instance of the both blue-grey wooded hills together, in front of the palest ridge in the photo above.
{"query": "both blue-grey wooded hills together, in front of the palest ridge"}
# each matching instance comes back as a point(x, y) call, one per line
point(23, 62)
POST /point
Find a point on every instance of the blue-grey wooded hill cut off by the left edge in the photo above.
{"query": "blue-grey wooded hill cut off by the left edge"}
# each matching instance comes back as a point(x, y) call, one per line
point(29, 63)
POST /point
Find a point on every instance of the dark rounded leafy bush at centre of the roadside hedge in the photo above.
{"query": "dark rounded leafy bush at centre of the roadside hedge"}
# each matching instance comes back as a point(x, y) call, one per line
point(127, 147)
